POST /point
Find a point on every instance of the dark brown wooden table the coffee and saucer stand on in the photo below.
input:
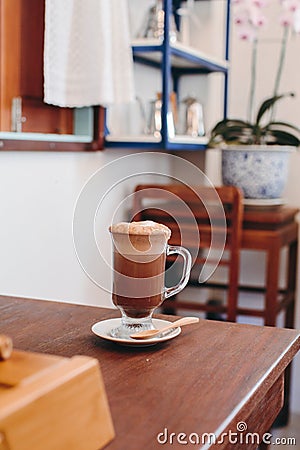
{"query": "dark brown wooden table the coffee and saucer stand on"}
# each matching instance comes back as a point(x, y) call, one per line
point(207, 380)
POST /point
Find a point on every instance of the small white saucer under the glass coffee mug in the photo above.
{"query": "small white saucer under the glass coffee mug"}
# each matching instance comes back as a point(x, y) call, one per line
point(103, 328)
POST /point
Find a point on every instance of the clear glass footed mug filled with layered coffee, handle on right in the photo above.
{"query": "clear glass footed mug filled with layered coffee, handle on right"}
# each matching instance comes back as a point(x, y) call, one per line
point(139, 258)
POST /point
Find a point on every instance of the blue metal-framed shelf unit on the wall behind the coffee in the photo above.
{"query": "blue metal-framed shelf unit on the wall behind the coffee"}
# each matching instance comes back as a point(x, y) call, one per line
point(174, 60)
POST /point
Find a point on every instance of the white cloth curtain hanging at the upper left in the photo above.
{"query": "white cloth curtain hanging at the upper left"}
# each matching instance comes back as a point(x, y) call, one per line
point(87, 54)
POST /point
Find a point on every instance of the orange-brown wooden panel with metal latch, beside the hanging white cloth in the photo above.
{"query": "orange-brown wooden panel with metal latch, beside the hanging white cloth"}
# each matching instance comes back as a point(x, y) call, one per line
point(21, 70)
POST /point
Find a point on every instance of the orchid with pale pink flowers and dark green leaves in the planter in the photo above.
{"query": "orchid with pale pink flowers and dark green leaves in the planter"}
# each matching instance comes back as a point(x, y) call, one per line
point(249, 18)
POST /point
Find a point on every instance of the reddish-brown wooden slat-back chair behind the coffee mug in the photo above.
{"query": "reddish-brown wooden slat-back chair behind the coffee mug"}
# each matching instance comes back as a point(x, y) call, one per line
point(207, 221)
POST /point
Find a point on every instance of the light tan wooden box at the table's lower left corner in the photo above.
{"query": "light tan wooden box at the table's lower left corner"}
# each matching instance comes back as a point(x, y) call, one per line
point(49, 402)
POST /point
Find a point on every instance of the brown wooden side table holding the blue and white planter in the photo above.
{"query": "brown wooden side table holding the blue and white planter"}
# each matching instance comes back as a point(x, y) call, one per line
point(270, 230)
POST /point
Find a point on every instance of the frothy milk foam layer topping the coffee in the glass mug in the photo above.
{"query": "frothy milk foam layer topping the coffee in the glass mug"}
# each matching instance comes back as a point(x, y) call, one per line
point(134, 238)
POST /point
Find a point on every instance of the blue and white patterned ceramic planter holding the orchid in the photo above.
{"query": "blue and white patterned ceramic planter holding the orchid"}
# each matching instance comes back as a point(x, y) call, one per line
point(260, 171)
